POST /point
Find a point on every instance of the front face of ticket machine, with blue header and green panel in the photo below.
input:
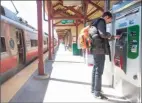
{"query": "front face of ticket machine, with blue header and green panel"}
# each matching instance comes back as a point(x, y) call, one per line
point(127, 48)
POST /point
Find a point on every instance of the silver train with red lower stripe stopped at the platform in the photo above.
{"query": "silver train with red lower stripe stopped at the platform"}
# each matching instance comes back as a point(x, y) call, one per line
point(18, 44)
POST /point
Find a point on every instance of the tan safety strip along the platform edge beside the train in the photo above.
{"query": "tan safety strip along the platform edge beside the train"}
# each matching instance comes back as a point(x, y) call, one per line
point(11, 87)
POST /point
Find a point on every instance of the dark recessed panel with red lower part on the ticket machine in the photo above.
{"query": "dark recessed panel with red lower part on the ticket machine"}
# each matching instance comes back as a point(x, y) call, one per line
point(120, 57)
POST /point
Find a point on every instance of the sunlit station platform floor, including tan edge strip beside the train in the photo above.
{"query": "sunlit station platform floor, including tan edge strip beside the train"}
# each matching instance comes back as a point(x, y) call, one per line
point(70, 81)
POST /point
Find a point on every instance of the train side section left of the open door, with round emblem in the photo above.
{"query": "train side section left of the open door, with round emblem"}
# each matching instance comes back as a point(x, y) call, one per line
point(9, 59)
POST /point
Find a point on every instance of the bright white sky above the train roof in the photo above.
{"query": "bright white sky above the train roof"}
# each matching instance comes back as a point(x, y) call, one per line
point(27, 10)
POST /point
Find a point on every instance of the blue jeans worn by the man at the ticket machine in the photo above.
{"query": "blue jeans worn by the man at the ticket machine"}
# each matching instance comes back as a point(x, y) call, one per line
point(99, 61)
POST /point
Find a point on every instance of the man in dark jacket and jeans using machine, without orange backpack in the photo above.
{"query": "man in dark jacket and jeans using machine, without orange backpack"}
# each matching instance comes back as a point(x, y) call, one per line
point(100, 47)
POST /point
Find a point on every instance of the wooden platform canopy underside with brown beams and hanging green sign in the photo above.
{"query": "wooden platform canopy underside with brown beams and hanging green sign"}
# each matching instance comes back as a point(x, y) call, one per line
point(66, 12)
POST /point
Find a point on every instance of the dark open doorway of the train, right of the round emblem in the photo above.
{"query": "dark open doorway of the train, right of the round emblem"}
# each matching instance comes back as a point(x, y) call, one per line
point(20, 46)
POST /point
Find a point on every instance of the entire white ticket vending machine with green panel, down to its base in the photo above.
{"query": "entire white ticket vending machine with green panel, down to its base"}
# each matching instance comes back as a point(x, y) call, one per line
point(127, 60)
